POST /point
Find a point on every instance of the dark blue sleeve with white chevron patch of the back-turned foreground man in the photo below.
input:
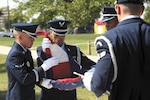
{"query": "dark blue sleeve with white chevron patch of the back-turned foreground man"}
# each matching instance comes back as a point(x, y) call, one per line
point(103, 74)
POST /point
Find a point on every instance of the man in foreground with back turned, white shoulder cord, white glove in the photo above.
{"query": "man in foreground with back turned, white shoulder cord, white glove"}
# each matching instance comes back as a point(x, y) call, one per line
point(123, 56)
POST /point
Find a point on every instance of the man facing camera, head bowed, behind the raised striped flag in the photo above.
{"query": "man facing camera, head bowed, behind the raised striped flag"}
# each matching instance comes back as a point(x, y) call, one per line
point(58, 33)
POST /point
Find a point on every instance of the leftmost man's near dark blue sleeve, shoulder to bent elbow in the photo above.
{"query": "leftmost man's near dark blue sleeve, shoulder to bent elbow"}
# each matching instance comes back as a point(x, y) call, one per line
point(20, 70)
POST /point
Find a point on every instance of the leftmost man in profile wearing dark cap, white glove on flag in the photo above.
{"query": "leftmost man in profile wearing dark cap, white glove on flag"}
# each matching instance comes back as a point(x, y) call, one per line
point(20, 68)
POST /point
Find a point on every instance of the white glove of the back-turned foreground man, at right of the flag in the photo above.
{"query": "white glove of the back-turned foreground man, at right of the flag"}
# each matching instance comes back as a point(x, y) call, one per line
point(87, 78)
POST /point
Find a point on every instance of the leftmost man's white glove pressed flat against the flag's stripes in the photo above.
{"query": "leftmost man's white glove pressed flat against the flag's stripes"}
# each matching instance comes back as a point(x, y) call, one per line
point(49, 63)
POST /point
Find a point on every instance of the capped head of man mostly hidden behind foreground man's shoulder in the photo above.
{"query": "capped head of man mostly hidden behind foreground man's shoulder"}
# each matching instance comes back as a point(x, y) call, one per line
point(109, 16)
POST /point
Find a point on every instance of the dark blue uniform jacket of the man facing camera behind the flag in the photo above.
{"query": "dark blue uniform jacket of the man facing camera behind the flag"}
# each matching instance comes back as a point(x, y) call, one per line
point(56, 94)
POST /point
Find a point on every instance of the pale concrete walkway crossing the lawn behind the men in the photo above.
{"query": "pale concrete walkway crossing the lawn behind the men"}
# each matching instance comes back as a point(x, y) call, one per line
point(5, 50)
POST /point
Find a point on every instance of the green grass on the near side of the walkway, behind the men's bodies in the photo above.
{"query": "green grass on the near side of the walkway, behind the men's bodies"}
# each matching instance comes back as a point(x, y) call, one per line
point(82, 93)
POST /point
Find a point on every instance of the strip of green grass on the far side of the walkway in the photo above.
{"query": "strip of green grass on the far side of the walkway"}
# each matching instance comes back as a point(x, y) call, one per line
point(80, 40)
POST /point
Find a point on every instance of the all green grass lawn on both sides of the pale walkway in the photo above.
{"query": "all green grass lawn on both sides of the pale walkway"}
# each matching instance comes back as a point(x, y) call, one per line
point(75, 39)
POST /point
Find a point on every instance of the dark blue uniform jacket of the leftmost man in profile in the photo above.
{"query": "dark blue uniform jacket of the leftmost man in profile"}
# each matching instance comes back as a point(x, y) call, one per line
point(21, 78)
